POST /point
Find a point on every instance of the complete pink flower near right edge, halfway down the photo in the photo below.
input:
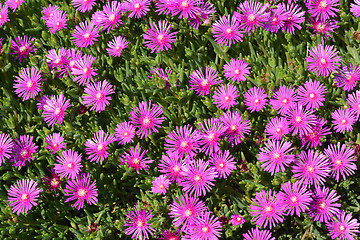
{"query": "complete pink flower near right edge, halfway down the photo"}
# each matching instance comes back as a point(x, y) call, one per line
point(343, 120)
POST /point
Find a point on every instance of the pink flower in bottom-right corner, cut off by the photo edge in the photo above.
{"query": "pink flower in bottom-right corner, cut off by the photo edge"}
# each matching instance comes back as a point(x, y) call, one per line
point(343, 227)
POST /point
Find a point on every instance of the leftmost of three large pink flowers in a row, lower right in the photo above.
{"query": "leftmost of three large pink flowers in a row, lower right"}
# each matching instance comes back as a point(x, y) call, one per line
point(275, 156)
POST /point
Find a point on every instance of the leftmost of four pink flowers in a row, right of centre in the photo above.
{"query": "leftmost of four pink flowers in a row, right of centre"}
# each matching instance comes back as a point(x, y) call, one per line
point(225, 96)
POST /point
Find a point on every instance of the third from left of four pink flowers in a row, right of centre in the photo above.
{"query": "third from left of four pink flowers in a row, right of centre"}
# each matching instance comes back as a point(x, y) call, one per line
point(283, 99)
